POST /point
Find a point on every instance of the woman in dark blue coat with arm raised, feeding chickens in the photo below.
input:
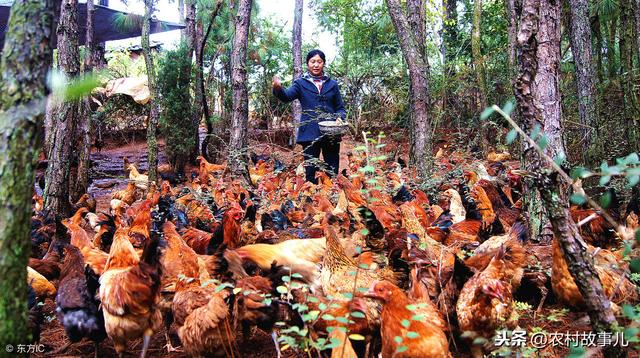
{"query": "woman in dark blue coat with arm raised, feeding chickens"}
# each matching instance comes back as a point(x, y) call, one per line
point(320, 100)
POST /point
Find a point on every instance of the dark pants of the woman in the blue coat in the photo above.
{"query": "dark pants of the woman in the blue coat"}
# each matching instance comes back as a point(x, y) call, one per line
point(330, 148)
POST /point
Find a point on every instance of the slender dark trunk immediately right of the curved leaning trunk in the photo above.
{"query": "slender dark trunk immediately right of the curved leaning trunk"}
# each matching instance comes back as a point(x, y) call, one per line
point(449, 47)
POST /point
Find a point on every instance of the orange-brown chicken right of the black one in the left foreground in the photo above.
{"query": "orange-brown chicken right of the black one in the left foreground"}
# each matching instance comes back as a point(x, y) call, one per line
point(130, 290)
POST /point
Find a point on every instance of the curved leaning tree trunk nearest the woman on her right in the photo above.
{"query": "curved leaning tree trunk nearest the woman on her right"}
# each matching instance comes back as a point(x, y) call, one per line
point(421, 149)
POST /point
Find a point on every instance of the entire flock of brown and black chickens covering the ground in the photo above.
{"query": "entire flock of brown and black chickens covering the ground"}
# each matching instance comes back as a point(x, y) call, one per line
point(364, 261)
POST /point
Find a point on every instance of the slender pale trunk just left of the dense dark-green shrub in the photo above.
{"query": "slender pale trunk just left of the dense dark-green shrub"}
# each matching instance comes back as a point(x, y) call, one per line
point(154, 112)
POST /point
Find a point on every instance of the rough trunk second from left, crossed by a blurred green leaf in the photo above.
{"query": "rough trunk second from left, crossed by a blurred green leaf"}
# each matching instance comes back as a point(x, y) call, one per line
point(56, 192)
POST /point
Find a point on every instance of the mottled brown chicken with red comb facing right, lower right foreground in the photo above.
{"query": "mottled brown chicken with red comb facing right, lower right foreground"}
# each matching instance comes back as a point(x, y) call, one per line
point(486, 300)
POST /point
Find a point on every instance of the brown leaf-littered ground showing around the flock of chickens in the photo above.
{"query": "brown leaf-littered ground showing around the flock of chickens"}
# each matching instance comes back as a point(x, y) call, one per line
point(108, 176)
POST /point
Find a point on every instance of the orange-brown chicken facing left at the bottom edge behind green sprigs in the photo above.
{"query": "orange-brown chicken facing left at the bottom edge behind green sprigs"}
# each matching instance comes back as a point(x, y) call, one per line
point(417, 337)
